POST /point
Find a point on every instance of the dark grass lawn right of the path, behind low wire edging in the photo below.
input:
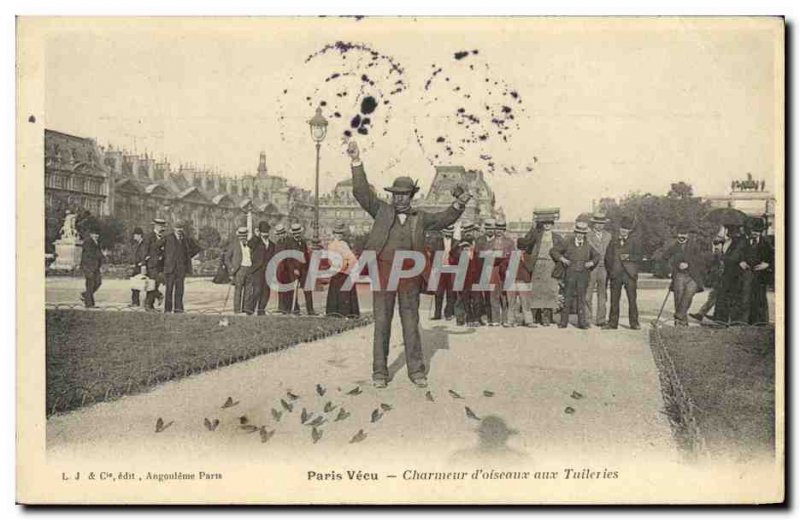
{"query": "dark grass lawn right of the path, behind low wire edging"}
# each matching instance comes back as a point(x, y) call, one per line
point(729, 374)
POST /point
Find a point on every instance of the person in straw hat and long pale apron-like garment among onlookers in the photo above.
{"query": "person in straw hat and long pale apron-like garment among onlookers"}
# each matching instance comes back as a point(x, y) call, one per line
point(536, 245)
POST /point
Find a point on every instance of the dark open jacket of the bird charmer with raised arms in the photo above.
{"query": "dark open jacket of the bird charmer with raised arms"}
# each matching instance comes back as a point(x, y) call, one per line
point(384, 215)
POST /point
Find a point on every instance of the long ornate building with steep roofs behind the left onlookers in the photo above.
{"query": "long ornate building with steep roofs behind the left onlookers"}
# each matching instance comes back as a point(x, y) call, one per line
point(136, 188)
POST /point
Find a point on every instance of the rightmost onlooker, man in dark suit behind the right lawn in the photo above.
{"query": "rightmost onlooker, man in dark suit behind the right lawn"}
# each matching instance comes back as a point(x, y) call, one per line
point(756, 266)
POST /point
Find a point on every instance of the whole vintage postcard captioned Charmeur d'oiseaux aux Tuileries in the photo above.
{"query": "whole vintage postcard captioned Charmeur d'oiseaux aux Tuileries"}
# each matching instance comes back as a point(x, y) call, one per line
point(399, 260)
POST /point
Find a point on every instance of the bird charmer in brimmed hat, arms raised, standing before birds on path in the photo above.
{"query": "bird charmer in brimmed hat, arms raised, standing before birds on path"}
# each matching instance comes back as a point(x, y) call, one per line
point(398, 227)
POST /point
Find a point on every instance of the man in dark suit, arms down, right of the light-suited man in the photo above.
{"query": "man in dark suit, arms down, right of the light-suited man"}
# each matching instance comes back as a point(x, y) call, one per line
point(623, 254)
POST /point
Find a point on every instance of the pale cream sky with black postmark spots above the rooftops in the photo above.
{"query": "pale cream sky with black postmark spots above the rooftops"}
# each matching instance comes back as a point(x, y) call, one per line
point(601, 107)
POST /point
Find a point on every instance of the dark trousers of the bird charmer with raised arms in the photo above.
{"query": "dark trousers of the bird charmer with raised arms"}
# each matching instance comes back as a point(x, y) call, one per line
point(407, 297)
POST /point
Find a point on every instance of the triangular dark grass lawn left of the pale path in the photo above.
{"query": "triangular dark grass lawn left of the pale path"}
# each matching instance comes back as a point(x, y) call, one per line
point(96, 356)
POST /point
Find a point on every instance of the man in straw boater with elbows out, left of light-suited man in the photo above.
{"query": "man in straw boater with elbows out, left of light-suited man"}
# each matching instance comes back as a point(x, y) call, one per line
point(578, 259)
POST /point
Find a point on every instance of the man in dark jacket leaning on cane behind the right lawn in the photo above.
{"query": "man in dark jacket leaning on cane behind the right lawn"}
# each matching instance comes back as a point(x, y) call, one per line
point(689, 265)
